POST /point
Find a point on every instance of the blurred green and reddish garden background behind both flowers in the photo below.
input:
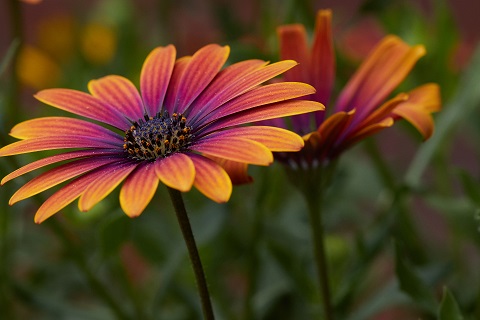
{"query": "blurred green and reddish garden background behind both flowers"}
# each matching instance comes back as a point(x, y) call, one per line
point(402, 216)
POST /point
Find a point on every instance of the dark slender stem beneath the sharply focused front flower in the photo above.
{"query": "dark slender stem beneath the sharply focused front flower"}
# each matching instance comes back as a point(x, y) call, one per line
point(184, 223)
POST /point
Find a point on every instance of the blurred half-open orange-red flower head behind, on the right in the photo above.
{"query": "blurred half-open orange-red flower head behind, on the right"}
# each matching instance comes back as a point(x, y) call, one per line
point(360, 109)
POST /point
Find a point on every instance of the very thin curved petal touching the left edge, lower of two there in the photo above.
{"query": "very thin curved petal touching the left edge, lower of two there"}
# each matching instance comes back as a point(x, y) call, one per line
point(54, 159)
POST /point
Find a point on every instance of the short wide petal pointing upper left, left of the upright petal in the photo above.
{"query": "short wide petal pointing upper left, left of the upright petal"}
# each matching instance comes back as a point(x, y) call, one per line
point(120, 94)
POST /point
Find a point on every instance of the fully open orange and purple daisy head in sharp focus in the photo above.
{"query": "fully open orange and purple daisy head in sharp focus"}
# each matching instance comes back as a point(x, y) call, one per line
point(188, 110)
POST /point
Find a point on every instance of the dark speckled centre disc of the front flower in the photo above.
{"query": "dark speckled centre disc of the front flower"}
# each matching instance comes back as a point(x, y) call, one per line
point(159, 136)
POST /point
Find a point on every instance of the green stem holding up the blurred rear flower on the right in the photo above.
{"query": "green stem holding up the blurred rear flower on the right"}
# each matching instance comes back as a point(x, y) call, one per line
point(314, 202)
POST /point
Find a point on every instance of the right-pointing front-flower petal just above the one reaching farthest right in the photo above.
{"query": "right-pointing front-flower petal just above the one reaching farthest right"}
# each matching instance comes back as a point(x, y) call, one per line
point(267, 94)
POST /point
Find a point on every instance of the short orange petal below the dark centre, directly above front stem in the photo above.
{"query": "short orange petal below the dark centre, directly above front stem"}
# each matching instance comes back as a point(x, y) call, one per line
point(176, 171)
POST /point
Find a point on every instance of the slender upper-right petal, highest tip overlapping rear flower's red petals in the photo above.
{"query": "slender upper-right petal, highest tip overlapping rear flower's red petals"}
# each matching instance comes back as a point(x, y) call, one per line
point(242, 85)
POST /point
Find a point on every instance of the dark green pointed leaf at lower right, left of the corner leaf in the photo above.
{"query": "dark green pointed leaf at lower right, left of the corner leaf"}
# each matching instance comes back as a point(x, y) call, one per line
point(414, 286)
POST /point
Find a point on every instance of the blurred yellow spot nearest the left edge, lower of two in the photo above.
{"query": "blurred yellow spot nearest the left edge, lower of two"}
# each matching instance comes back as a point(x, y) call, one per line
point(36, 69)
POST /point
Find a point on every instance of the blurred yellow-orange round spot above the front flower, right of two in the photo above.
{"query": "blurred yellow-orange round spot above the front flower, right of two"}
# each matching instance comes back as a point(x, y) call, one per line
point(98, 43)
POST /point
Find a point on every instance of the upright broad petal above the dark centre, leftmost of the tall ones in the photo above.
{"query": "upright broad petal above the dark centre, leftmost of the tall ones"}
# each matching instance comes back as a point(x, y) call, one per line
point(155, 77)
